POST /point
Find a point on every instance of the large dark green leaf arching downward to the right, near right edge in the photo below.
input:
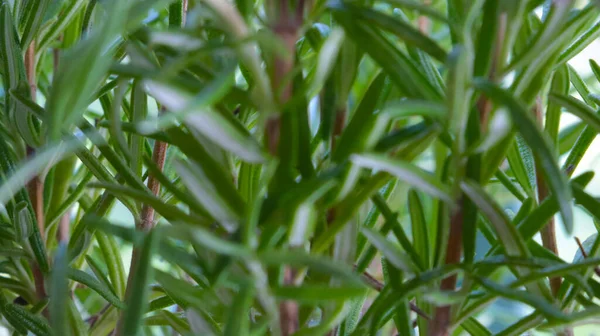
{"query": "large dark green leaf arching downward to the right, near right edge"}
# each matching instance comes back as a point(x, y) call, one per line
point(540, 146)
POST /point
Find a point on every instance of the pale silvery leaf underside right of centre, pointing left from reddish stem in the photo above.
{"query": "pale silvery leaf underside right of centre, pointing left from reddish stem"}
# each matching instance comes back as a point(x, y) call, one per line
point(410, 174)
